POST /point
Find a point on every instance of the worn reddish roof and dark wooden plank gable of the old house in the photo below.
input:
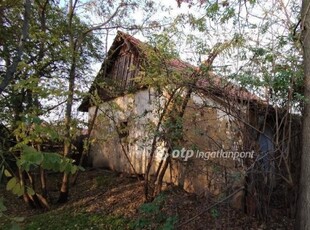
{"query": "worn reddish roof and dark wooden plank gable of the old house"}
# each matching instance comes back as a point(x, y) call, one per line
point(114, 69)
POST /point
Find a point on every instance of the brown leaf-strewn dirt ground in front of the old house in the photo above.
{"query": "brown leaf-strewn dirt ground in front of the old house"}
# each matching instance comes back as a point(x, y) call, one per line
point(109, 193)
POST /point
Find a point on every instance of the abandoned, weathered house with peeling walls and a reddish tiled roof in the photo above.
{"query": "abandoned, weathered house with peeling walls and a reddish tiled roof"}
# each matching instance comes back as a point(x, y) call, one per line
point(219, 119)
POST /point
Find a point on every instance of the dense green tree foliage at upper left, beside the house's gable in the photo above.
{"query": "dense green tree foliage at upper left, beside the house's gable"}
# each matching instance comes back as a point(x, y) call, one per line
point(44, 66)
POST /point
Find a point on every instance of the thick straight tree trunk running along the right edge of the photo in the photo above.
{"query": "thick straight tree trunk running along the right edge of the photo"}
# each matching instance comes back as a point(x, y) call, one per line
point(303, 213)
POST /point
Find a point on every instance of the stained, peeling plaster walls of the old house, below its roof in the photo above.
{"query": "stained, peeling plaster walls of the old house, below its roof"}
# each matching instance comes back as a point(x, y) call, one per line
point(206, 128)
